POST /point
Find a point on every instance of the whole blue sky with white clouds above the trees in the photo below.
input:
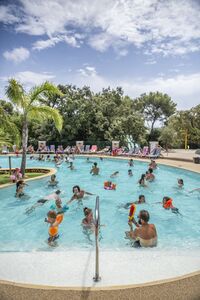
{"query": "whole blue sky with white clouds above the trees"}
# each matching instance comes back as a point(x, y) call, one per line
point(140, 45)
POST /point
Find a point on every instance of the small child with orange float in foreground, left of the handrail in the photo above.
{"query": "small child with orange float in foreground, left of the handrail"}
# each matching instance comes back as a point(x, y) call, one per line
point(53, 228)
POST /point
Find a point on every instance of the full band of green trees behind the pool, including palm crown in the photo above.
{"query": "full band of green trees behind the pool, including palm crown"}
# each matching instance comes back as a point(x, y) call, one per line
point(95, 117)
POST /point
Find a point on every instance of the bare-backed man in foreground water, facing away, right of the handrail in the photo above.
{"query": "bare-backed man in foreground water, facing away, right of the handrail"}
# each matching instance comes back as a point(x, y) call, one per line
point(144, 235)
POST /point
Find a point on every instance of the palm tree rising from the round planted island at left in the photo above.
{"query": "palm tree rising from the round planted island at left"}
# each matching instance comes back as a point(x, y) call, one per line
point(31, 106)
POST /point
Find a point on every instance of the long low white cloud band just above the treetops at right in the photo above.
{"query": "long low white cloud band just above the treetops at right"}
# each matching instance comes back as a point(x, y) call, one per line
point(183, 89)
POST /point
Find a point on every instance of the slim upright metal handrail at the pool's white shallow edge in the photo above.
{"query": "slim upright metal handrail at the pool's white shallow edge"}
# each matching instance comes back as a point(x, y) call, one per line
point(97, 278)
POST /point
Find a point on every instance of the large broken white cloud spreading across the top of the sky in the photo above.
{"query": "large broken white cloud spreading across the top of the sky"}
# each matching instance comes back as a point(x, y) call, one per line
point(161, 27)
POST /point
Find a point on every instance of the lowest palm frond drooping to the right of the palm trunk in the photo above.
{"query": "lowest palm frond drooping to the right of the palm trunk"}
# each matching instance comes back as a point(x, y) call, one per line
point(42, 113)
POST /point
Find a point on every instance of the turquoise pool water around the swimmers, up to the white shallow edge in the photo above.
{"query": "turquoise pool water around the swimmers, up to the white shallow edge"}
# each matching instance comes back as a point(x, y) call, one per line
point(21, 232)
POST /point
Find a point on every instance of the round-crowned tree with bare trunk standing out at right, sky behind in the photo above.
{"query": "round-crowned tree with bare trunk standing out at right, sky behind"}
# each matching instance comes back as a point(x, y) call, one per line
point(155, 107)
